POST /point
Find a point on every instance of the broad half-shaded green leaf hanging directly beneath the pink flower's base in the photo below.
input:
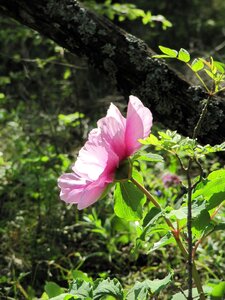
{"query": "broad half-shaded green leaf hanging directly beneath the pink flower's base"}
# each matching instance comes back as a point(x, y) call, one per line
point(129, 201)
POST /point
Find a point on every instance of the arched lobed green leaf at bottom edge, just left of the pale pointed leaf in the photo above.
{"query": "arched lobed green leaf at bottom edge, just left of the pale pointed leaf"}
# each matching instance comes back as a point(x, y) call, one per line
point(107, 287)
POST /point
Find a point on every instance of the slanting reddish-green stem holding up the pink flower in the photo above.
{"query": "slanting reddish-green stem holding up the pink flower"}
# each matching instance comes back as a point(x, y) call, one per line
point(177, 238)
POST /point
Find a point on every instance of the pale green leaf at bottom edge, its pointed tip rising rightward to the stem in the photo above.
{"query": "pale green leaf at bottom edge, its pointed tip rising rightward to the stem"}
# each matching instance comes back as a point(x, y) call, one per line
point(141, 290)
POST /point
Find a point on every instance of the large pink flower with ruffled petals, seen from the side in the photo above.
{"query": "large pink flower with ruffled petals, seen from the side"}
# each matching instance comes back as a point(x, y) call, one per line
point(114, 140)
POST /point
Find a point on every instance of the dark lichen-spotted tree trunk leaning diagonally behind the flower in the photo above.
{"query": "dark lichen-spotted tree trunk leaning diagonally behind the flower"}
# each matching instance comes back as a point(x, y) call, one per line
point(127, 61)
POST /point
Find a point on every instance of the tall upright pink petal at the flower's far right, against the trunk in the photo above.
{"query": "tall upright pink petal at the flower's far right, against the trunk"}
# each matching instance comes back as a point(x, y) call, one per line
point(138, 124)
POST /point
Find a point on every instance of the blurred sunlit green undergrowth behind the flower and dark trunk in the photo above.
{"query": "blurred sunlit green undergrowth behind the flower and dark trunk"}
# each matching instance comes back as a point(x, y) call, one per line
point(49, 100)
